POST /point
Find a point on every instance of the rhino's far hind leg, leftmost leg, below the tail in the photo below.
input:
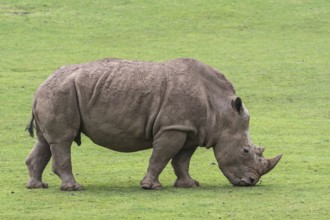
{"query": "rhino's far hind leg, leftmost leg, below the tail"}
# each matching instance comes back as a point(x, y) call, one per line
point(36, 163)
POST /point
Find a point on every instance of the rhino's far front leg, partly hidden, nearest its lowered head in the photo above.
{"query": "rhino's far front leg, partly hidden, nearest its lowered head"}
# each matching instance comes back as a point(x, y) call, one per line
point(180, 164)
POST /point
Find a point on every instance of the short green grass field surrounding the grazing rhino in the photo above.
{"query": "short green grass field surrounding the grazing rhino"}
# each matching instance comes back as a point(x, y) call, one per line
point(276, 53)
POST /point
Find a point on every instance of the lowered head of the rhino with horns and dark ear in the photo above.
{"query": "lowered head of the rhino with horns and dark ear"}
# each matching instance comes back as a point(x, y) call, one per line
point(238, 158)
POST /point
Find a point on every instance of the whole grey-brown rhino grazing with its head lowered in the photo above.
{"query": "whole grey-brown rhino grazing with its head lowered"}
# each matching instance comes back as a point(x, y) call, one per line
point(127, 106)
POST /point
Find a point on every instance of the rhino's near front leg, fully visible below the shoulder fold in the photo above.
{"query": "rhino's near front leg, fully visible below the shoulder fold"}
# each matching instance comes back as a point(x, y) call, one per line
point(165, 147)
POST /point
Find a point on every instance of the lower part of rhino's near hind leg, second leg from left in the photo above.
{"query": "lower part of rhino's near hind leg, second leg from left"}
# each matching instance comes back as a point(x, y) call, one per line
point(62, 166)
